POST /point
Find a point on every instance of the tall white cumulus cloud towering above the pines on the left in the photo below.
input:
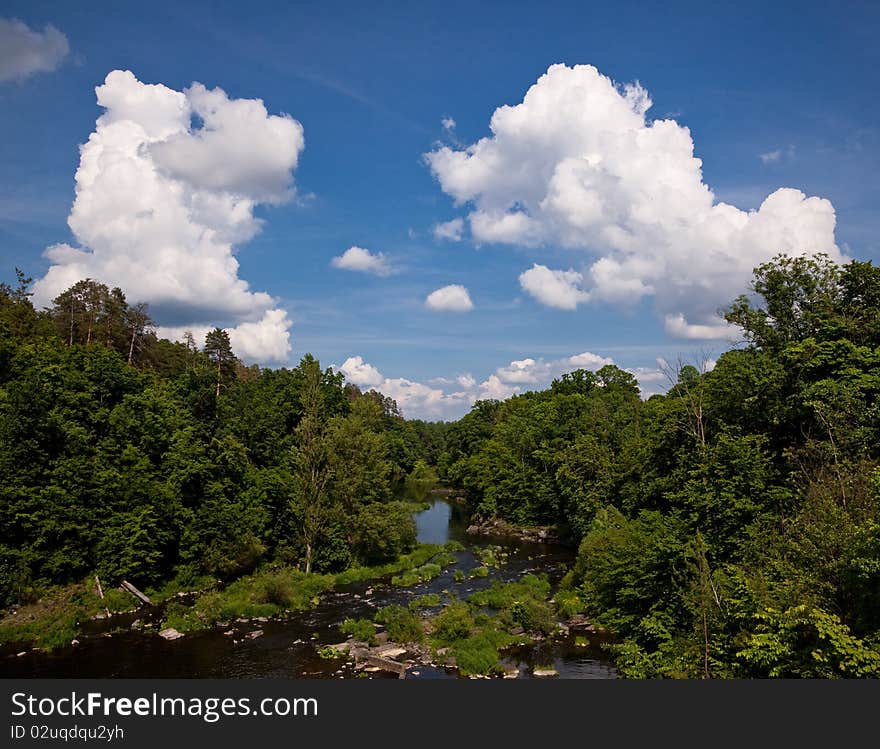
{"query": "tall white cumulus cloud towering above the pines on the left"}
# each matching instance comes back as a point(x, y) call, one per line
point(160, 204)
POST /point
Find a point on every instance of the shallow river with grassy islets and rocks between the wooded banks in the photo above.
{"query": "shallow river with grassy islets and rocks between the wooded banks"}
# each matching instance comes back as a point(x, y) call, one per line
point(295, 644)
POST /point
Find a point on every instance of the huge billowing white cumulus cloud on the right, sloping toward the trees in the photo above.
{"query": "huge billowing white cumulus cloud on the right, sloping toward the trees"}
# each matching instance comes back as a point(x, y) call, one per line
point(577, 164)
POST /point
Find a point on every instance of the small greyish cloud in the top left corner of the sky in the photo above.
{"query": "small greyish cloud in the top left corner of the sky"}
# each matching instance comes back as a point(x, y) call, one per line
point(24, 52)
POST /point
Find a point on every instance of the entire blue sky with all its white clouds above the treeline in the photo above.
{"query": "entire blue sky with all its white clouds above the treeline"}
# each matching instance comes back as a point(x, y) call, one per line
point(444, 201)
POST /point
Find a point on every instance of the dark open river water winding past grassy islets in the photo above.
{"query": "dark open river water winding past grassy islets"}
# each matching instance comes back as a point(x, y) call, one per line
point(288, 647)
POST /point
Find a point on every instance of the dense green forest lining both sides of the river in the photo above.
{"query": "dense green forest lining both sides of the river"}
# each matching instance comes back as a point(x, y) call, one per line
point(729, 528)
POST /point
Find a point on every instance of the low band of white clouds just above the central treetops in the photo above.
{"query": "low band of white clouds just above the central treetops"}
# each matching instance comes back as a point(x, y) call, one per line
point(450, 399)
